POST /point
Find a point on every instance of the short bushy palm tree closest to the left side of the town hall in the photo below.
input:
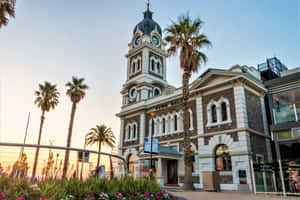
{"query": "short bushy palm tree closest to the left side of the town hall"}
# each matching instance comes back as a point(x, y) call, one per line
point(103, 136)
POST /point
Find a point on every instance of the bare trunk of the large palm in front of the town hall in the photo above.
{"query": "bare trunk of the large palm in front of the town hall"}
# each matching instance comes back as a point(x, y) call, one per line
point(188, 185)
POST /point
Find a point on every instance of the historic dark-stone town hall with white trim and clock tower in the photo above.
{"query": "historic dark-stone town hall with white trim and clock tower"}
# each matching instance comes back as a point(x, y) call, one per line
point(227, 117)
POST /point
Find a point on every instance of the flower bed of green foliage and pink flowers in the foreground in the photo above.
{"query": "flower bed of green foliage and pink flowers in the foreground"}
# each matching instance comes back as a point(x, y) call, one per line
point(74, 189)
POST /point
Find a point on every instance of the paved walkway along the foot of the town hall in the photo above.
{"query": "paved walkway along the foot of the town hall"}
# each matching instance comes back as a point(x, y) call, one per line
point(224, 195)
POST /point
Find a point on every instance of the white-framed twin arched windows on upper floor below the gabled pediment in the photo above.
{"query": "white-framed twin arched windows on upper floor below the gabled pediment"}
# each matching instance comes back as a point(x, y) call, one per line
point(218, 112)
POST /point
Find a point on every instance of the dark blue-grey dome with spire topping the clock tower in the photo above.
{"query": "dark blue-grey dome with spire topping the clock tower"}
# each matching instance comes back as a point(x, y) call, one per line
point(147, 25)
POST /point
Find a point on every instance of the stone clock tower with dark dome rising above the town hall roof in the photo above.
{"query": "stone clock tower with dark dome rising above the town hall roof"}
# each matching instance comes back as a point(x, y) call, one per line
point(146, 62)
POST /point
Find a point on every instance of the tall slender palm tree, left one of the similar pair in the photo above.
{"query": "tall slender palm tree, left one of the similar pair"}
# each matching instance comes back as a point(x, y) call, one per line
point(46, 99)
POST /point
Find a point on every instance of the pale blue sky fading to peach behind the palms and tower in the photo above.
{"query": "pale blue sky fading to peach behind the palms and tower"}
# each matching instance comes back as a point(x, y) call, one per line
point(55, 40)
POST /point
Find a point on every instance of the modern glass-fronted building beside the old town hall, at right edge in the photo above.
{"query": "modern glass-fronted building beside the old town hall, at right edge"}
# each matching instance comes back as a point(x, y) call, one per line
point(284, 111)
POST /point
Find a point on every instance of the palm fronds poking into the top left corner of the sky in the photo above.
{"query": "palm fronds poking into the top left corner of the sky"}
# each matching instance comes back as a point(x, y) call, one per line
point(7, 9)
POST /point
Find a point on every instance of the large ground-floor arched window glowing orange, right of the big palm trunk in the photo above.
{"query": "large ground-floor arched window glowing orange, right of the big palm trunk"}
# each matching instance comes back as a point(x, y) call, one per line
point(223, 158)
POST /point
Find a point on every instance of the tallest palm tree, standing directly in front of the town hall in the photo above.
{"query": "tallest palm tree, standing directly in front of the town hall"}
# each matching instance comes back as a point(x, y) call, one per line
point(185, 37)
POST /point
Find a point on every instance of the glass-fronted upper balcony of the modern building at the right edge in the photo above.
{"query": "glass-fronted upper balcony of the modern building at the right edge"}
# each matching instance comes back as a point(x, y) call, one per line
point(286, 113)
